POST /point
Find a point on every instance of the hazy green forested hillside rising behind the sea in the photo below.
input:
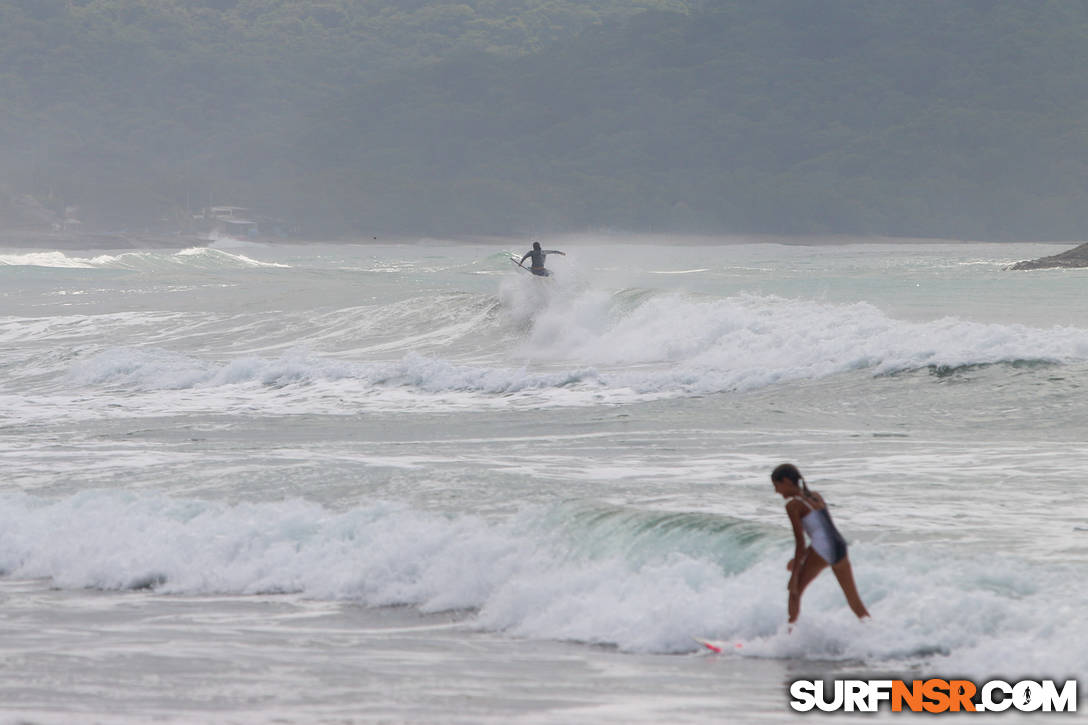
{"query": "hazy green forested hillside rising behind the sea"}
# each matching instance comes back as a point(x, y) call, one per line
point(912, 118)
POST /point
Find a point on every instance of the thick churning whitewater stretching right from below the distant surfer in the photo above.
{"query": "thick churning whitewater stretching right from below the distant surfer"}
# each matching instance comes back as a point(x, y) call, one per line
point(751, 341)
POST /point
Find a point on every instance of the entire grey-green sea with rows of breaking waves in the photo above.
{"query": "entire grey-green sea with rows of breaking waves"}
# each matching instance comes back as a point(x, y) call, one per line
point(411, 483)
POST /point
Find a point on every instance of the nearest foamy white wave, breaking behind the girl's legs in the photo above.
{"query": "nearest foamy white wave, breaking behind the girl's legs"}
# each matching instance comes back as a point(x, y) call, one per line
point(551, 574)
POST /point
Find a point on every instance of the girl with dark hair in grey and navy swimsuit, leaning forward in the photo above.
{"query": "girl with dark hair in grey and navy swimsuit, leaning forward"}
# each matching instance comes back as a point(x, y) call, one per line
point(809, 515)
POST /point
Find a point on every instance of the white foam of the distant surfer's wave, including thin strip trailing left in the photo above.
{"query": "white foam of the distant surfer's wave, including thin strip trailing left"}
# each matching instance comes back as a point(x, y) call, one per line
point(637, 342)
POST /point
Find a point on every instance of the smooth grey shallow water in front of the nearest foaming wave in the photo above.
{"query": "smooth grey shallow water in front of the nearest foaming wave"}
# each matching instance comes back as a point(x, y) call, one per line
point(262, 658)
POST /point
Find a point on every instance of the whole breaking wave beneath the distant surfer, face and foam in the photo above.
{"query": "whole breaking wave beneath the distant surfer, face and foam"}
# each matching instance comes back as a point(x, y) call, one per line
point(564, 343)
